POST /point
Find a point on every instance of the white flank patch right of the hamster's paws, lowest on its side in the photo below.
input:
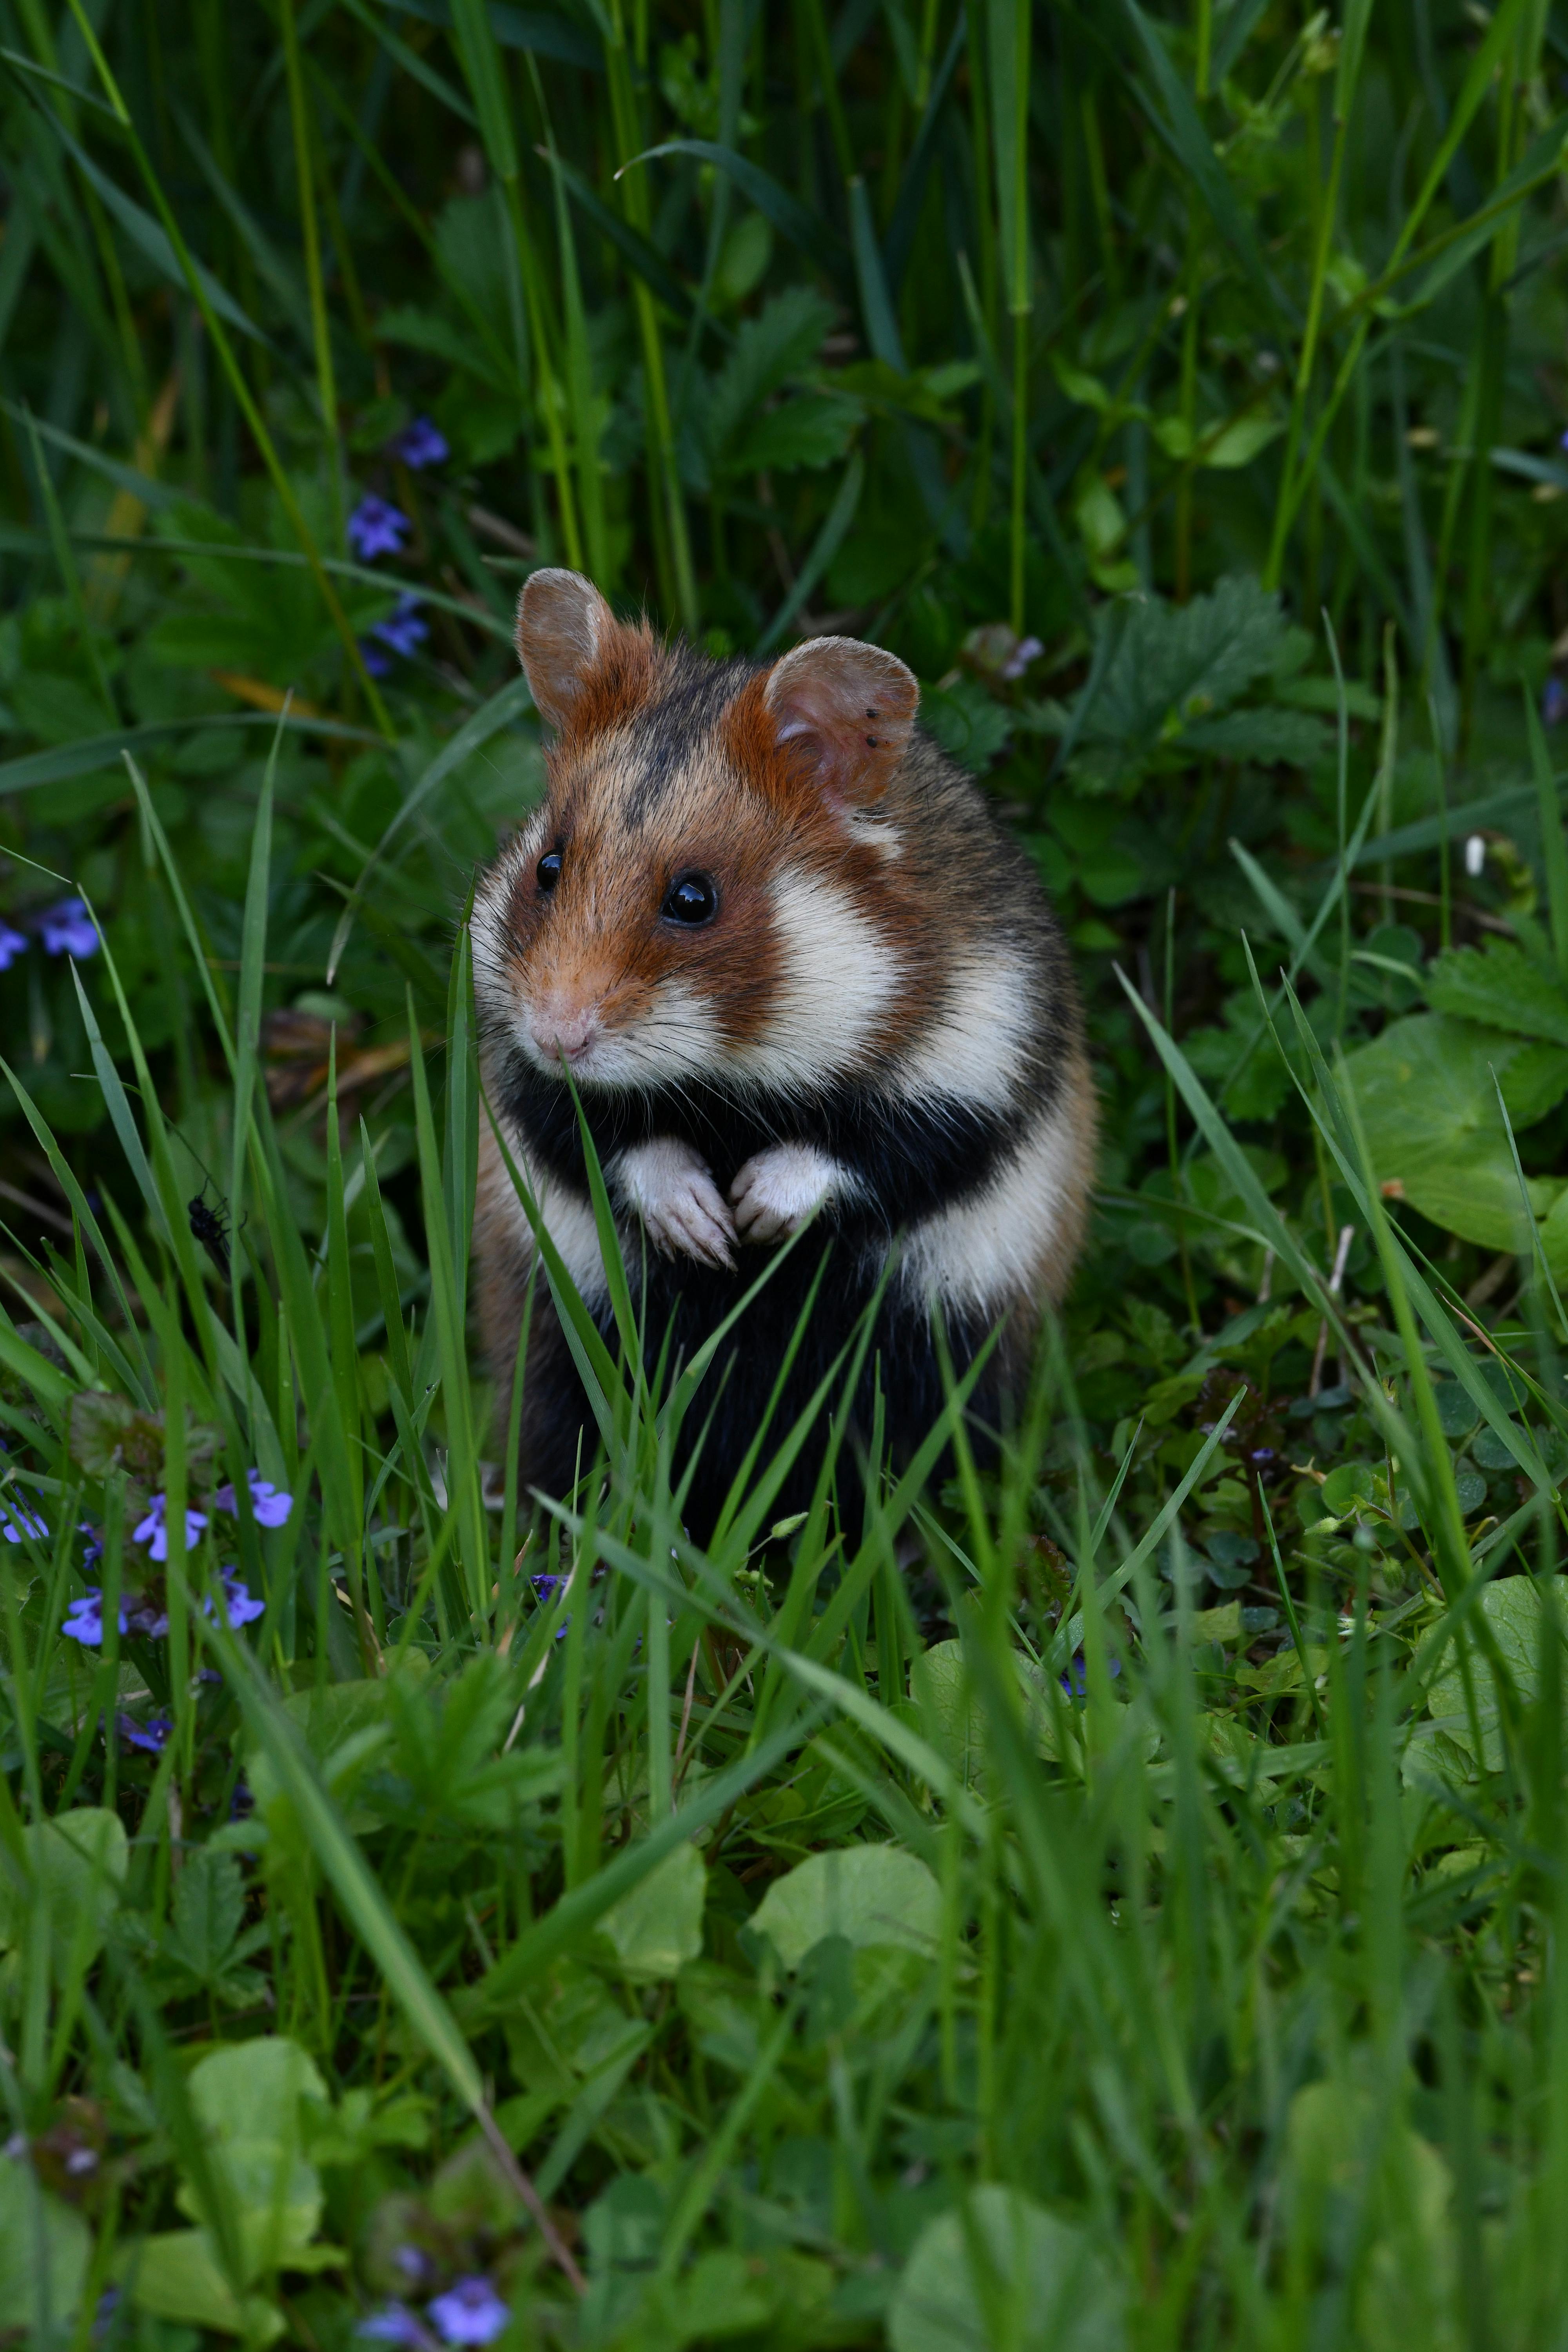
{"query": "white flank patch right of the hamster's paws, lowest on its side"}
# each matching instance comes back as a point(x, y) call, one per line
point(984, 1255)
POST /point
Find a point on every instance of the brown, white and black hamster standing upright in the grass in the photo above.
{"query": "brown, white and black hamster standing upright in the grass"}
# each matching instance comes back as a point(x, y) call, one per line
point(796, 970)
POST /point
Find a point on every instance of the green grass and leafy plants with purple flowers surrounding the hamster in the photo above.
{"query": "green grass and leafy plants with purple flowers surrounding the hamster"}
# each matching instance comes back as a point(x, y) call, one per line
point(1111, 1897)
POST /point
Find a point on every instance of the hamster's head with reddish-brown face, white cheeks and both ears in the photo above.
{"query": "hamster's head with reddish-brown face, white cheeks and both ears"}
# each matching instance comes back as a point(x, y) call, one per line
point(709, 890)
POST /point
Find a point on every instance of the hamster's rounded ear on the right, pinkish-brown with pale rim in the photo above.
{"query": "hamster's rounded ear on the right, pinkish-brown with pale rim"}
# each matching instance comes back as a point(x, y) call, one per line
point(850, 709)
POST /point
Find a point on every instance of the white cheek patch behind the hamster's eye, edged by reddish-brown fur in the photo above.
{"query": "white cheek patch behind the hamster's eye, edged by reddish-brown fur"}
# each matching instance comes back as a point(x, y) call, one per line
point(836, 987)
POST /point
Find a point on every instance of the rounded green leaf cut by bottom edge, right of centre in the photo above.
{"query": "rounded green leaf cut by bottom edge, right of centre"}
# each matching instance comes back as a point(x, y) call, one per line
point(1000, 2271)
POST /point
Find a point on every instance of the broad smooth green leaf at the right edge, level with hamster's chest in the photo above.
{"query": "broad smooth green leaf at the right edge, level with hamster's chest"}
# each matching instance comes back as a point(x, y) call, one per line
point(1430, 1118)
